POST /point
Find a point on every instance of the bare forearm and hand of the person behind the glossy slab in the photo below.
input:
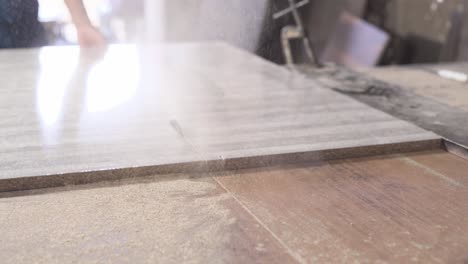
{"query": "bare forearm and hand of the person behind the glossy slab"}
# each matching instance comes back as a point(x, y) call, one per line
point(88, 35)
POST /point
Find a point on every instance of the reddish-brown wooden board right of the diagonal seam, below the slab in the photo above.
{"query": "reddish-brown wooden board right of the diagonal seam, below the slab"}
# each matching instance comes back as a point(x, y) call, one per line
point(372, 210)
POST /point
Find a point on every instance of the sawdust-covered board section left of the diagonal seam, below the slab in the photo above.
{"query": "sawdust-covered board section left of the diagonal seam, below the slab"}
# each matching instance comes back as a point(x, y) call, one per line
point(172, 221)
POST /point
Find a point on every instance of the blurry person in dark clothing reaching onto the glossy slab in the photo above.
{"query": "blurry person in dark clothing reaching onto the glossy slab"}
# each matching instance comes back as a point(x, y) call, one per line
point(20, 28)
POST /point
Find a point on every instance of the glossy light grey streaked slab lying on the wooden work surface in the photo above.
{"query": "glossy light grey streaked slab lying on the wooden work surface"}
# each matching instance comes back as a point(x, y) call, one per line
point(66, 112)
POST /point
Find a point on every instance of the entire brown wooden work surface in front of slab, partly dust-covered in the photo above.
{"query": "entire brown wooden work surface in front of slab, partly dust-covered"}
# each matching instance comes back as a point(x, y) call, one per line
point(385, 209)
